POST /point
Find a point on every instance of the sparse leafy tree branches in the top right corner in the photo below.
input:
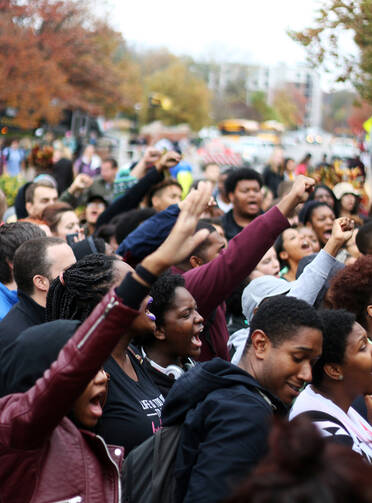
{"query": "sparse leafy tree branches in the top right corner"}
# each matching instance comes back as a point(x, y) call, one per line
point(323, 42)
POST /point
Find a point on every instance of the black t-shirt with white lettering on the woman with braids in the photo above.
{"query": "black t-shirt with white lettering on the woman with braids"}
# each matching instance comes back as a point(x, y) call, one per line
point(133, 409)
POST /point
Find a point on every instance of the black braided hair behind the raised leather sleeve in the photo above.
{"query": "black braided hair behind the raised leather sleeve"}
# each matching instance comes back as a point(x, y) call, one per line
point(80, 288)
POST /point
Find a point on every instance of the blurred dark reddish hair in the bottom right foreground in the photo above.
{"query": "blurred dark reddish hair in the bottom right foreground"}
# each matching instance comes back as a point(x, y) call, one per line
point(302, 466)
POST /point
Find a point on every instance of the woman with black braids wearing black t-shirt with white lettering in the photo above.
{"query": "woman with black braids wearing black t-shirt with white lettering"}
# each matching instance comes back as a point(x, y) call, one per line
point(132, 412)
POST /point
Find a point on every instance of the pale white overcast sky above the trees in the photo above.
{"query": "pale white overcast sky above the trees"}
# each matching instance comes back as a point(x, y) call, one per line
point(246, 31)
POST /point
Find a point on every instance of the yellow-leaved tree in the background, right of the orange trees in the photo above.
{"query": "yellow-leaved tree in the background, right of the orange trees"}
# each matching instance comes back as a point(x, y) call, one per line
point(187, 96)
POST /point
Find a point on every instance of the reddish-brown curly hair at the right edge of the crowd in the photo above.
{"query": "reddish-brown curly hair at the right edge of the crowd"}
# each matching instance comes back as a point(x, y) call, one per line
point(351, 289)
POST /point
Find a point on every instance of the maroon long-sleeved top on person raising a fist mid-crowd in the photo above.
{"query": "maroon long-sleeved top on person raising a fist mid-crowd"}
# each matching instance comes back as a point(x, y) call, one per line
point(212, 283)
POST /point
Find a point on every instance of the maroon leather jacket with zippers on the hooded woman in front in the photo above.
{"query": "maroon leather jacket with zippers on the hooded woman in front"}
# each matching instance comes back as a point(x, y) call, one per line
point(44, 457)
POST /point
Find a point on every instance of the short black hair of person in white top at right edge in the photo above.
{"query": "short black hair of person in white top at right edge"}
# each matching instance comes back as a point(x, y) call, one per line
point(337, 325)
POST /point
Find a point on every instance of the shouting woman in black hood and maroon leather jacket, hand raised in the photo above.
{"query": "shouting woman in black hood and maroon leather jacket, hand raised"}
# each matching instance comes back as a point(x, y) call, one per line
point(57, 388)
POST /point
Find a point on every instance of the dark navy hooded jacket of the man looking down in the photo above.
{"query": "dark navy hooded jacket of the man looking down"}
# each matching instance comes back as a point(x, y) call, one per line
point(227, 416)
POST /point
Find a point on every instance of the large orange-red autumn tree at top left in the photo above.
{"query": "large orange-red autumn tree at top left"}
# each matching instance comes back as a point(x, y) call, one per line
point(55, 55)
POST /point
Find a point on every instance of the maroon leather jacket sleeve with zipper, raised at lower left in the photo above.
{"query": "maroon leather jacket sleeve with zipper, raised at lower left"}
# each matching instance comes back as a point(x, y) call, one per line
point(27, 419)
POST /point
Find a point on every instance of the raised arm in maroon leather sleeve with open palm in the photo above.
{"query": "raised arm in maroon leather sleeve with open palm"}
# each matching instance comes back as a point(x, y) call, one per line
point(27, 419)
